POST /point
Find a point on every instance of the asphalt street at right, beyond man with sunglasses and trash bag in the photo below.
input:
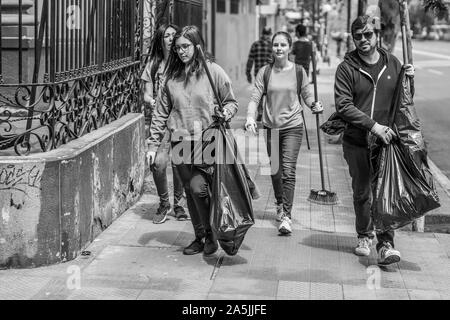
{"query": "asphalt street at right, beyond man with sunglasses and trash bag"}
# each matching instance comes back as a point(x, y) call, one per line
point(432, 97)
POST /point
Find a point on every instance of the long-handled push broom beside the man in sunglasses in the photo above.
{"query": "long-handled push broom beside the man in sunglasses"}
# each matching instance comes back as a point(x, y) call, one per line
point(320, 196)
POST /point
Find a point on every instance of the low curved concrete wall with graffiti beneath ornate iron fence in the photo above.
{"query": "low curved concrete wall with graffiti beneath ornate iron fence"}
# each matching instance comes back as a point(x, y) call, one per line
point(54, 204)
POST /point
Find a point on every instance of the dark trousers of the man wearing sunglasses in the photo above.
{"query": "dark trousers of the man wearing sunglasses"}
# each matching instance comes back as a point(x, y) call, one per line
point(361, 166)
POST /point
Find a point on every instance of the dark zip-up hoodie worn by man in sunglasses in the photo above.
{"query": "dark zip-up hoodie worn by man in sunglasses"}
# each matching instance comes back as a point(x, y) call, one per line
point(354, 95)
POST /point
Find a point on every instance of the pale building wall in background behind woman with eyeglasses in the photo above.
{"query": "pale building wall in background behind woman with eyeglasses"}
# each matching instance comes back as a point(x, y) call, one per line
point(234, 35)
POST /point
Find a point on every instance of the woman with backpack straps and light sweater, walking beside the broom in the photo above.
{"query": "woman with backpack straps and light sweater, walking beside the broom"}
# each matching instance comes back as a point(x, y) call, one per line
point(282, 121)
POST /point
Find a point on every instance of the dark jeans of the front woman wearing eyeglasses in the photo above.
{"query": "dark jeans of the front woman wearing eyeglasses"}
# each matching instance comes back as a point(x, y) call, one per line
point(198, 194)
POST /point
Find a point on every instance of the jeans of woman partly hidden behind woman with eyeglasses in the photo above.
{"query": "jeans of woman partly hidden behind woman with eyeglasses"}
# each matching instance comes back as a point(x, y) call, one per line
point(159, 169)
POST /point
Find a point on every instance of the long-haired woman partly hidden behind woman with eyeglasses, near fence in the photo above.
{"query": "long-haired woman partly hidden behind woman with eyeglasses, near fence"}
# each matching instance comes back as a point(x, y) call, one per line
point(153, 77)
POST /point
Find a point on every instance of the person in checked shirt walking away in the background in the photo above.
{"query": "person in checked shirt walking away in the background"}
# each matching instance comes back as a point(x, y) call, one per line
point(260, 54)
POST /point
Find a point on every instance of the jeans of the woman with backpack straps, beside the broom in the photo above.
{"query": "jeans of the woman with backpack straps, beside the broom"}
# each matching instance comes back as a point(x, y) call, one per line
point(283, 147)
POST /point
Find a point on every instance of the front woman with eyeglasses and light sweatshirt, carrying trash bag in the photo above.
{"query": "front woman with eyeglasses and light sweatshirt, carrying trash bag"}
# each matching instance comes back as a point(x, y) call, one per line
point(186, 106)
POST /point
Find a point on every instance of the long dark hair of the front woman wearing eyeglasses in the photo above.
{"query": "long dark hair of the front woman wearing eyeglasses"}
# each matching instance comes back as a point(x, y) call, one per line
point(176, 67)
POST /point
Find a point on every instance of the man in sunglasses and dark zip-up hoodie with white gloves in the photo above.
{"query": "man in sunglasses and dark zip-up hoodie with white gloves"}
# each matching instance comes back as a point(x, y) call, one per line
point(364, 87)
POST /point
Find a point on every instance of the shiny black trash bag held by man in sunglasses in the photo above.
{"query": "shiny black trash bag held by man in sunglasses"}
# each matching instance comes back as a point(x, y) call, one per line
point(405, 188)
